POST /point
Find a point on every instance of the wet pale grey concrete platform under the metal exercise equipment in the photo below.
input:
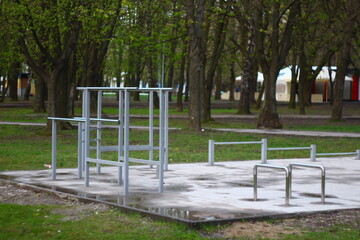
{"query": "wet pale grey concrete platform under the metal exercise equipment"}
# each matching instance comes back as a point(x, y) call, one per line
point(198, 193)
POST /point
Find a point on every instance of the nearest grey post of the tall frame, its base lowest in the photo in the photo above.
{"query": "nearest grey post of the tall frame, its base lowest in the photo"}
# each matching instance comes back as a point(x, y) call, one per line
point(126, 141)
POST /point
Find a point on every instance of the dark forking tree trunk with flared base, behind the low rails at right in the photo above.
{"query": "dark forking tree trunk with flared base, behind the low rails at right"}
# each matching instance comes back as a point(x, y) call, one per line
point(280, 46)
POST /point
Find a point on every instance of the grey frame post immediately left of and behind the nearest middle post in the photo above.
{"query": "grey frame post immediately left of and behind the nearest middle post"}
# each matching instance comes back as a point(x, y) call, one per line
point(120, 134)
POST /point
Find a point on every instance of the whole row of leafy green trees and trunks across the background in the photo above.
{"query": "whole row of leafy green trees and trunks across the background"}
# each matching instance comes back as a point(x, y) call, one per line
point(70, 43)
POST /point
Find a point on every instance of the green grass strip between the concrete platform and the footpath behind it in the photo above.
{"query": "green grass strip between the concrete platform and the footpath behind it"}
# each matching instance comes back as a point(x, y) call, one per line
point(27, 147)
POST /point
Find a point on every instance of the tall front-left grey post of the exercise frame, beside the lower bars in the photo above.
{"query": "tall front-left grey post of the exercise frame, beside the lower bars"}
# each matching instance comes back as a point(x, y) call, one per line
point(87, 134)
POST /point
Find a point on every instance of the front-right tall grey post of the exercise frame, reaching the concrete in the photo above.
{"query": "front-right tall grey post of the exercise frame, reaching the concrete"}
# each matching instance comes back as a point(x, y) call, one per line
point(161, 141)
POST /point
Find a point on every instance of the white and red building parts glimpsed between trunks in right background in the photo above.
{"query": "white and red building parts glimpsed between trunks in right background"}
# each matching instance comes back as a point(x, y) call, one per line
point(320, 91)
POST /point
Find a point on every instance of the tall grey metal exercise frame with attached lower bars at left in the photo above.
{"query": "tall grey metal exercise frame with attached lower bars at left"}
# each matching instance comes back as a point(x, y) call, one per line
point(123, 147)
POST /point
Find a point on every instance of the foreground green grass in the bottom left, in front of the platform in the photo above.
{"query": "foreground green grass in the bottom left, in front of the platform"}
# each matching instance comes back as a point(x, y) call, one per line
point(40, 222)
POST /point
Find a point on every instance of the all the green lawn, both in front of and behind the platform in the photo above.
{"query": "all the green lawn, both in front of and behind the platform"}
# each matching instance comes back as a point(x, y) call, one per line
point(28, 147)
